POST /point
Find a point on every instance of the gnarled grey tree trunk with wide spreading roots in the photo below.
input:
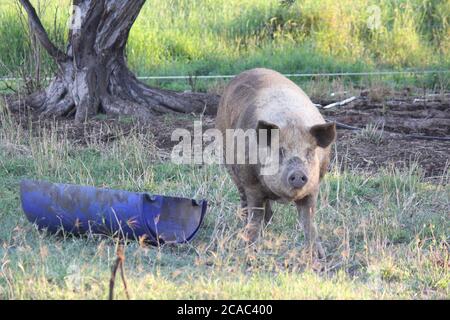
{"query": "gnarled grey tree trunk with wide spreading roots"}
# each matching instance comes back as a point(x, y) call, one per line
point(93, 75)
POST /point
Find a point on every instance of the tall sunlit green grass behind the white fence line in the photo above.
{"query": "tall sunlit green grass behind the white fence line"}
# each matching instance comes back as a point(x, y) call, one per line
point(192, 37)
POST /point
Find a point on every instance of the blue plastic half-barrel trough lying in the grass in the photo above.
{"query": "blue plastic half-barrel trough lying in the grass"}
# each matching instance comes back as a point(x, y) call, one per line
point(83, 210)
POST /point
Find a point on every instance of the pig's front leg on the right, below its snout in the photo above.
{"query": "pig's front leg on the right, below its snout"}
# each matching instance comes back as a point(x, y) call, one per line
point(306, 208)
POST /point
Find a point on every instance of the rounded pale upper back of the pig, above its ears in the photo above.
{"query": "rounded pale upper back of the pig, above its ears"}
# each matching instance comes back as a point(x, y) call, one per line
point(263, 94)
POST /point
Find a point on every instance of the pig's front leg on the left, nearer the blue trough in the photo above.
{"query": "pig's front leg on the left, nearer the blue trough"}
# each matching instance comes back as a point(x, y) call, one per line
point(255, 215)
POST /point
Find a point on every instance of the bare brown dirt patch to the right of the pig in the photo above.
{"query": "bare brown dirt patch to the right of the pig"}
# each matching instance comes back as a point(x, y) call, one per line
point(391, 132)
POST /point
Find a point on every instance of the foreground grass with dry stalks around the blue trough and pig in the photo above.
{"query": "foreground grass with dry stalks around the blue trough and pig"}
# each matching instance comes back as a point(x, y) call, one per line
point(386, 235)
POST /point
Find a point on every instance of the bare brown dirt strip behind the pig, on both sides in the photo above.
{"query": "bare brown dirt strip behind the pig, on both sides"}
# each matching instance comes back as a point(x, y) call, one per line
point(385, 144)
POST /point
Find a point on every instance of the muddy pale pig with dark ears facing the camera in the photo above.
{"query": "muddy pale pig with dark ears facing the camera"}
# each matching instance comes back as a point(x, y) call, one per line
point(265, 99)
